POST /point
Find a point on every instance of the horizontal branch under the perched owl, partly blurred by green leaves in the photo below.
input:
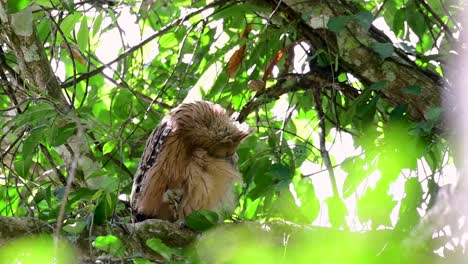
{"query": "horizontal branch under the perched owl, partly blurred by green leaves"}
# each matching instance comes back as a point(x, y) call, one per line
point(227, 240)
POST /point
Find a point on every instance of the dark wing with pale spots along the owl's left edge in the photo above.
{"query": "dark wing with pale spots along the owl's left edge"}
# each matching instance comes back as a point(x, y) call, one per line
point(148, 159)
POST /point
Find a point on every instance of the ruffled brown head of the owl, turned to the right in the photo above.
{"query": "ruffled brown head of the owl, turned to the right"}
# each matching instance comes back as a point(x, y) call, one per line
point(209, 126)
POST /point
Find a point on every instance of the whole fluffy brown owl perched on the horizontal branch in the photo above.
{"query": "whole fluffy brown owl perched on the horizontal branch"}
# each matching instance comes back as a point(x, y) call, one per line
point(189, 163)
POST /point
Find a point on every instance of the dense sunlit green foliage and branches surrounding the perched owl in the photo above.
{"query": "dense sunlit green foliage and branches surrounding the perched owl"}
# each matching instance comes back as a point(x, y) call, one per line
point(337, 142)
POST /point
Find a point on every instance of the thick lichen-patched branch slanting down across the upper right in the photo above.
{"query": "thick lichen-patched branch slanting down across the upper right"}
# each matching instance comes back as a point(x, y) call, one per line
point(352, 47)
